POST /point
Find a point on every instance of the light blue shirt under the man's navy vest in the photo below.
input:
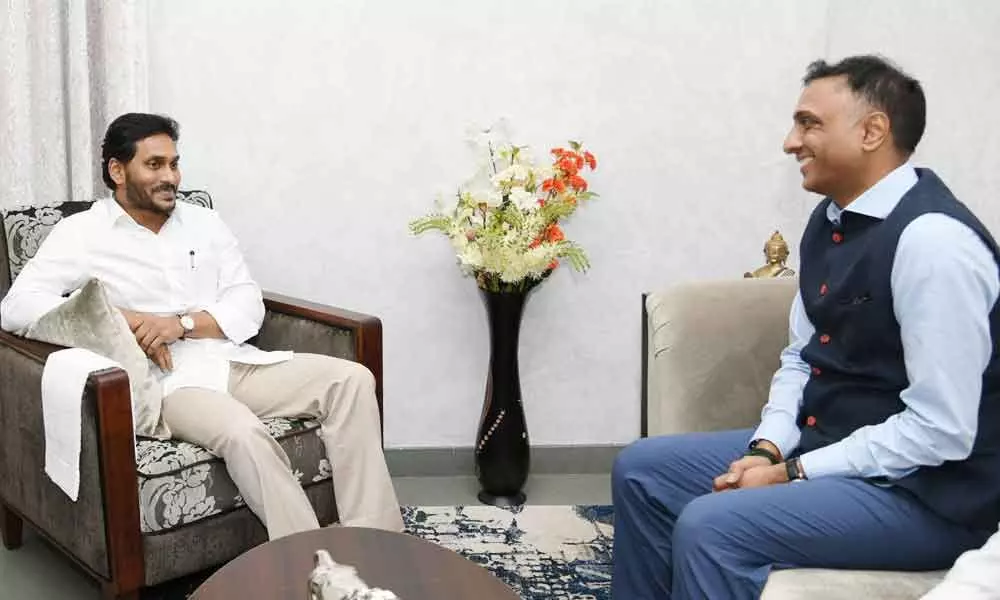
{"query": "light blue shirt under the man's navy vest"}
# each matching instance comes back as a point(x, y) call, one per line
point(944, 284)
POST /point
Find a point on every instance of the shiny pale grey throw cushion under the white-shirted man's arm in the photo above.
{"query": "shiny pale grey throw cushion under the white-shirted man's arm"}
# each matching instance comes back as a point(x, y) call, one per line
point(88, 320)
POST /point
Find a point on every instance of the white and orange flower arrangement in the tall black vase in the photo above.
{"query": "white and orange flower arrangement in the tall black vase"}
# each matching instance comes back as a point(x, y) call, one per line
point(505, 224)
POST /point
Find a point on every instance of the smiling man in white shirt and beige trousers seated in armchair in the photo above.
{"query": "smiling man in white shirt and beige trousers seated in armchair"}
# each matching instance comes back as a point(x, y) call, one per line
point(176, 272)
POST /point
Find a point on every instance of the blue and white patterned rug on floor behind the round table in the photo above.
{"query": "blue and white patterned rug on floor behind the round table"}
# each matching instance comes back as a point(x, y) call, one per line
point(543, 552)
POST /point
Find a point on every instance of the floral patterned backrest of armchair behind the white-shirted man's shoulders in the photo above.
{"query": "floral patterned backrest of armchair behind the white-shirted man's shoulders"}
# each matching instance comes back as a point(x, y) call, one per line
point(26, 228)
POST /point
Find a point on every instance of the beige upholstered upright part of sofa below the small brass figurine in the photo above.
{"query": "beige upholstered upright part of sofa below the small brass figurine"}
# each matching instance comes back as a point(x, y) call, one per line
point(710, 351)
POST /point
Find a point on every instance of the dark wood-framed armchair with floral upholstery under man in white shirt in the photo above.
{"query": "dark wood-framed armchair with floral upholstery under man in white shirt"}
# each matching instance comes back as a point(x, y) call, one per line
point(155, 510)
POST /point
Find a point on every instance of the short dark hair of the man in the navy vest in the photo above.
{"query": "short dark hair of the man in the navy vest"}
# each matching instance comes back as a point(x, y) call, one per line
point(887, 88)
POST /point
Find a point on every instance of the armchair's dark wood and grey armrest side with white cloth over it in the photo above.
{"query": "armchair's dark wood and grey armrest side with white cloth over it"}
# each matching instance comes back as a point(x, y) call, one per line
point(100, 531)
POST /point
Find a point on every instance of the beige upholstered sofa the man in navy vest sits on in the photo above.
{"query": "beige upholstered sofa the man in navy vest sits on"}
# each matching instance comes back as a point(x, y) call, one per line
point(710, 349)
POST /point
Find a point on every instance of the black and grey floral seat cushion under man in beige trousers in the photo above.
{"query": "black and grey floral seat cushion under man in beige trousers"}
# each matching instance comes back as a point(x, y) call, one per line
point(182, 483)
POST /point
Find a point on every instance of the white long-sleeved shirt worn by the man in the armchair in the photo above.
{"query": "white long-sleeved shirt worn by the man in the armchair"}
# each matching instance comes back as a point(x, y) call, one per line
point(193, 264)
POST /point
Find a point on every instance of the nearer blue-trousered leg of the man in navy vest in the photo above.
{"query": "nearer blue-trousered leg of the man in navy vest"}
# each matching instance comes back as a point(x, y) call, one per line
point(725, 544)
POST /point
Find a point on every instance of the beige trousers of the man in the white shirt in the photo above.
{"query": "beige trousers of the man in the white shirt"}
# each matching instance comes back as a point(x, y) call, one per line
point(339, 393)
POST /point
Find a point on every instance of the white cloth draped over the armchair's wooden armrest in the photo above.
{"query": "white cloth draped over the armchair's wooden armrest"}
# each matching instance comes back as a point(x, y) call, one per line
point(63, 380)
